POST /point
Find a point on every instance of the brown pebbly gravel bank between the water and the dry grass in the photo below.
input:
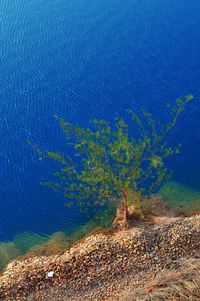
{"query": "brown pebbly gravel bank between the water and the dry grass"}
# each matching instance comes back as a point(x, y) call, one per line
point(104, 265)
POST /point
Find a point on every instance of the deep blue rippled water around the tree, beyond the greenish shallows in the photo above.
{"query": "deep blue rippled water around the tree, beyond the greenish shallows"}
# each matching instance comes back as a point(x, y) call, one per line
point(83, 59)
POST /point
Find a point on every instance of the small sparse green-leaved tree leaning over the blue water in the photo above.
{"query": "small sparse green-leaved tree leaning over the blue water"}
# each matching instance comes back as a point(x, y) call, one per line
point(108, 161)
